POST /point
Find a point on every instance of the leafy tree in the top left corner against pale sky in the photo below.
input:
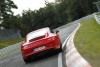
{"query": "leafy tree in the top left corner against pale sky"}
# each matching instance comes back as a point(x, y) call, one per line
point(5, 9)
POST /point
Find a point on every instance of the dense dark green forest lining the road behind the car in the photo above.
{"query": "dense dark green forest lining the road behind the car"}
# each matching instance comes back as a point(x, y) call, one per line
point(55, 14)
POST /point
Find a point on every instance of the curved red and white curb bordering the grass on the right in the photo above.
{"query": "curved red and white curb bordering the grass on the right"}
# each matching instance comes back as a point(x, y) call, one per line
point(73, 58)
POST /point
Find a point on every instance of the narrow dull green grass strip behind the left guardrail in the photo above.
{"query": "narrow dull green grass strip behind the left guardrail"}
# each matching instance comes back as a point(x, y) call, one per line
point(9, 42)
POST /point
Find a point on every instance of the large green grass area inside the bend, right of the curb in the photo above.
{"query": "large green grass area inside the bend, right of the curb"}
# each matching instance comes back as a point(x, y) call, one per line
point(87, 41)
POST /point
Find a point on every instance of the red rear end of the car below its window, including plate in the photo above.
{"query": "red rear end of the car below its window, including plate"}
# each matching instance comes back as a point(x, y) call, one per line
point(40, 46)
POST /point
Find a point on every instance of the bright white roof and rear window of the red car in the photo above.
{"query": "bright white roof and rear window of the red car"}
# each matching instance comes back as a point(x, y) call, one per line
point(37, 33)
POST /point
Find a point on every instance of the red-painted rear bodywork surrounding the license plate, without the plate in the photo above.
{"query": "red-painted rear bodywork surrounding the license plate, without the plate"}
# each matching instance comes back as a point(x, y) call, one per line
point(51, 45)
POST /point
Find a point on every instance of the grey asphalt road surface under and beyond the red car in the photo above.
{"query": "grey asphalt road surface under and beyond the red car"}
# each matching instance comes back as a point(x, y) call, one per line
point(15, 59)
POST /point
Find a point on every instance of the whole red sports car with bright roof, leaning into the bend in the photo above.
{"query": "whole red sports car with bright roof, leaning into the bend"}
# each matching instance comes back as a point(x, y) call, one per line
point(40, 42)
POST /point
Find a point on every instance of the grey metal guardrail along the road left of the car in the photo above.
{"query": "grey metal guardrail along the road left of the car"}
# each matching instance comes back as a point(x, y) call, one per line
point(9, 49)
